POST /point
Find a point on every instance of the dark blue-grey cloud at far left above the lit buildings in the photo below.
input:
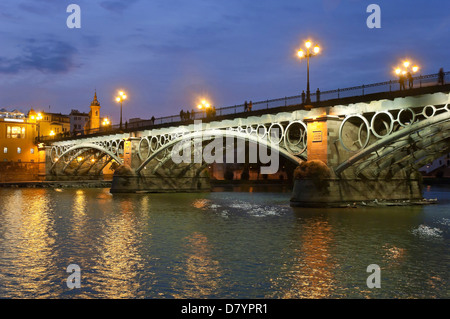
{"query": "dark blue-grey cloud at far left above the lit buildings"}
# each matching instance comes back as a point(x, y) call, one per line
point(51, 56)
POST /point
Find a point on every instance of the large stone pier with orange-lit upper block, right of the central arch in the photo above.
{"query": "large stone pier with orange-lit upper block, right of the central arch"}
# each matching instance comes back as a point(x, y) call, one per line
point(318, 183)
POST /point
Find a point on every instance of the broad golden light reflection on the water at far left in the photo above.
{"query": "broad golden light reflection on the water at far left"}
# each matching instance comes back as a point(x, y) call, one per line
point(27, 244)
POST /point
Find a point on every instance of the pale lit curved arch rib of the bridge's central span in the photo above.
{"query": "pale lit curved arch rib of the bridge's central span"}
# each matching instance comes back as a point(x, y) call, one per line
point(218, 133)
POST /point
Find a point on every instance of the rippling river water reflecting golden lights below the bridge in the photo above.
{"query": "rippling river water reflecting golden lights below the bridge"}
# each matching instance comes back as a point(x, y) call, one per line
point(225, 244)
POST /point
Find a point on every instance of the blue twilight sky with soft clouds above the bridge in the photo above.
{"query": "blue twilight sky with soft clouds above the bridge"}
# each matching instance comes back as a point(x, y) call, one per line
point(168, 54)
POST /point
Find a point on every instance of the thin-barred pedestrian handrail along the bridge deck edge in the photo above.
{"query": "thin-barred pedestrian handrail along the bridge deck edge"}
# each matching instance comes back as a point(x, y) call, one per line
point(293, 100)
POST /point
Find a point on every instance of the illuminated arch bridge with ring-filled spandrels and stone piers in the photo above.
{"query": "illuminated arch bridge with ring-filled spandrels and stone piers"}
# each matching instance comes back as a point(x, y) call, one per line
point(346, 151)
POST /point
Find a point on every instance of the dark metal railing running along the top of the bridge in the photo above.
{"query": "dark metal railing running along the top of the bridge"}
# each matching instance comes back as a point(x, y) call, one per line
point(336, 94)
